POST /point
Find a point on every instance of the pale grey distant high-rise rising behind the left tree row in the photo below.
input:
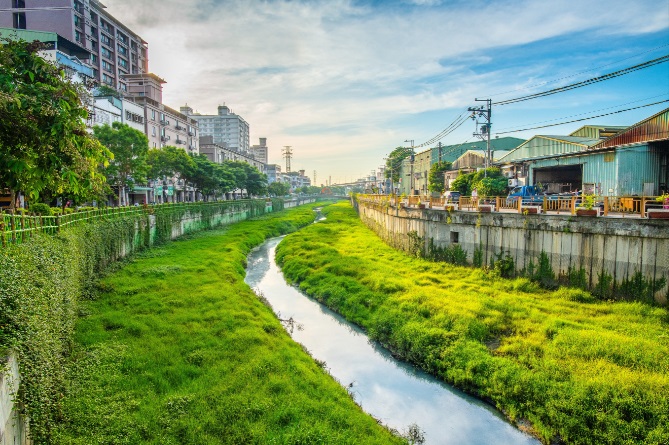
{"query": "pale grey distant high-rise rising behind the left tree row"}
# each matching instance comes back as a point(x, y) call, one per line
point(226, 127)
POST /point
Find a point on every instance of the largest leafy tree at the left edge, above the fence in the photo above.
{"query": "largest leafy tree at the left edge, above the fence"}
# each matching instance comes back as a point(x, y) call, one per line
point(44, 146)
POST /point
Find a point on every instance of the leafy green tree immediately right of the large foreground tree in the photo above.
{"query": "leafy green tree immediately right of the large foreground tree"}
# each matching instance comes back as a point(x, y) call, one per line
point(130, 148)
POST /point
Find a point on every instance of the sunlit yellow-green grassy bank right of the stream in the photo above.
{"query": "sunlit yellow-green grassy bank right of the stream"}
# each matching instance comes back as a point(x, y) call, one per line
point(579, 370)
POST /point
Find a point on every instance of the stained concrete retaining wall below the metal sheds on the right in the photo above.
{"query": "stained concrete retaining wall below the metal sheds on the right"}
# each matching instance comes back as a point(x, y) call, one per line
point(617, 246)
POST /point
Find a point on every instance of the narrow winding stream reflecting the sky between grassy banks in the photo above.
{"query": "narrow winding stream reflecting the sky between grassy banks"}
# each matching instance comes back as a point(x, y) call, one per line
point(395, 393)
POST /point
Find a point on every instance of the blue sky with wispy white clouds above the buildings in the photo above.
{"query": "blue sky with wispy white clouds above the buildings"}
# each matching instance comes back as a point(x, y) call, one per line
point(344, 82)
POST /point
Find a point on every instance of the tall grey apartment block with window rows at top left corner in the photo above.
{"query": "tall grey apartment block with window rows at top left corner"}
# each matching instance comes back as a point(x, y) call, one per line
point(108, 47)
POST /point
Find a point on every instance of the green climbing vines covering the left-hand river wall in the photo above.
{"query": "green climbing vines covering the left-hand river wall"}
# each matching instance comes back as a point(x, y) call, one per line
point(45, 278)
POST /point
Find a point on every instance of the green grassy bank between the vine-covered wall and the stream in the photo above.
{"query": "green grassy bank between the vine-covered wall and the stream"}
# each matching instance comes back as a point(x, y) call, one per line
point(177, 349)
